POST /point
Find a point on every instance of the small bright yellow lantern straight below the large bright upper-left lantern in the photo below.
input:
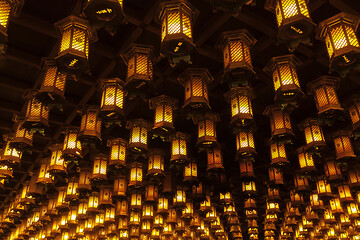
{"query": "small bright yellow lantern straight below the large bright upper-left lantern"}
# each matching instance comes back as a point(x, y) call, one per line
point(72, 146)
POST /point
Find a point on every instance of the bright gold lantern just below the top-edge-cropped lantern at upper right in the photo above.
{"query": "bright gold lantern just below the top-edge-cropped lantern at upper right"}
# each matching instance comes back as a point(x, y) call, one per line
point(285, 79)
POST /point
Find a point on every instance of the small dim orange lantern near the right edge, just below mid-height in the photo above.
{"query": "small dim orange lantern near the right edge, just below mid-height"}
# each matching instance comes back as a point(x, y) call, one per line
point(343, 145)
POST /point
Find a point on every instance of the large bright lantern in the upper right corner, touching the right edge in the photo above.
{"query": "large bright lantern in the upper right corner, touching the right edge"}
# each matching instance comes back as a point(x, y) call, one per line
point(339, 34)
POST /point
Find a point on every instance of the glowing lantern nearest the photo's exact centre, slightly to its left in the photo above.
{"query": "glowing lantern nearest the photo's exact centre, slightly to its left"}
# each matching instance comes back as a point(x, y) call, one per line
point(164, 107)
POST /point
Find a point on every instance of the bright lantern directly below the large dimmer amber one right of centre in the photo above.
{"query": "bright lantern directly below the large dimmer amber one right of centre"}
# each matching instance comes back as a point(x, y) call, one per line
point(241, 108)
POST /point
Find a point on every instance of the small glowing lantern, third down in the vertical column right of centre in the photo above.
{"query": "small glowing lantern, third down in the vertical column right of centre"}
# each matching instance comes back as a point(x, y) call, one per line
point(245, 145)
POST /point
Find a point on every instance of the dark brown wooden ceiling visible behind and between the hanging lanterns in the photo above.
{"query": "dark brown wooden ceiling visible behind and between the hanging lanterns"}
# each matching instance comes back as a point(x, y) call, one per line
point(32, 36)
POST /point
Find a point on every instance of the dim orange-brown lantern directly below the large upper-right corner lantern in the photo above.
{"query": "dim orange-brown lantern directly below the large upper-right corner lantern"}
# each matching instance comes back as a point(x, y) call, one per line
point(324, 91)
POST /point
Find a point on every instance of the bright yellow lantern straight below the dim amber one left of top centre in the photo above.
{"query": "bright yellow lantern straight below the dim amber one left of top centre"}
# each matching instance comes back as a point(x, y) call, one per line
point(138, 134)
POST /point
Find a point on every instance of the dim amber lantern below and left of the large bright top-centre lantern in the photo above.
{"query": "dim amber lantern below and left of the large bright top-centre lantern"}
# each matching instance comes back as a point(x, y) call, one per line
point(139, 60)
